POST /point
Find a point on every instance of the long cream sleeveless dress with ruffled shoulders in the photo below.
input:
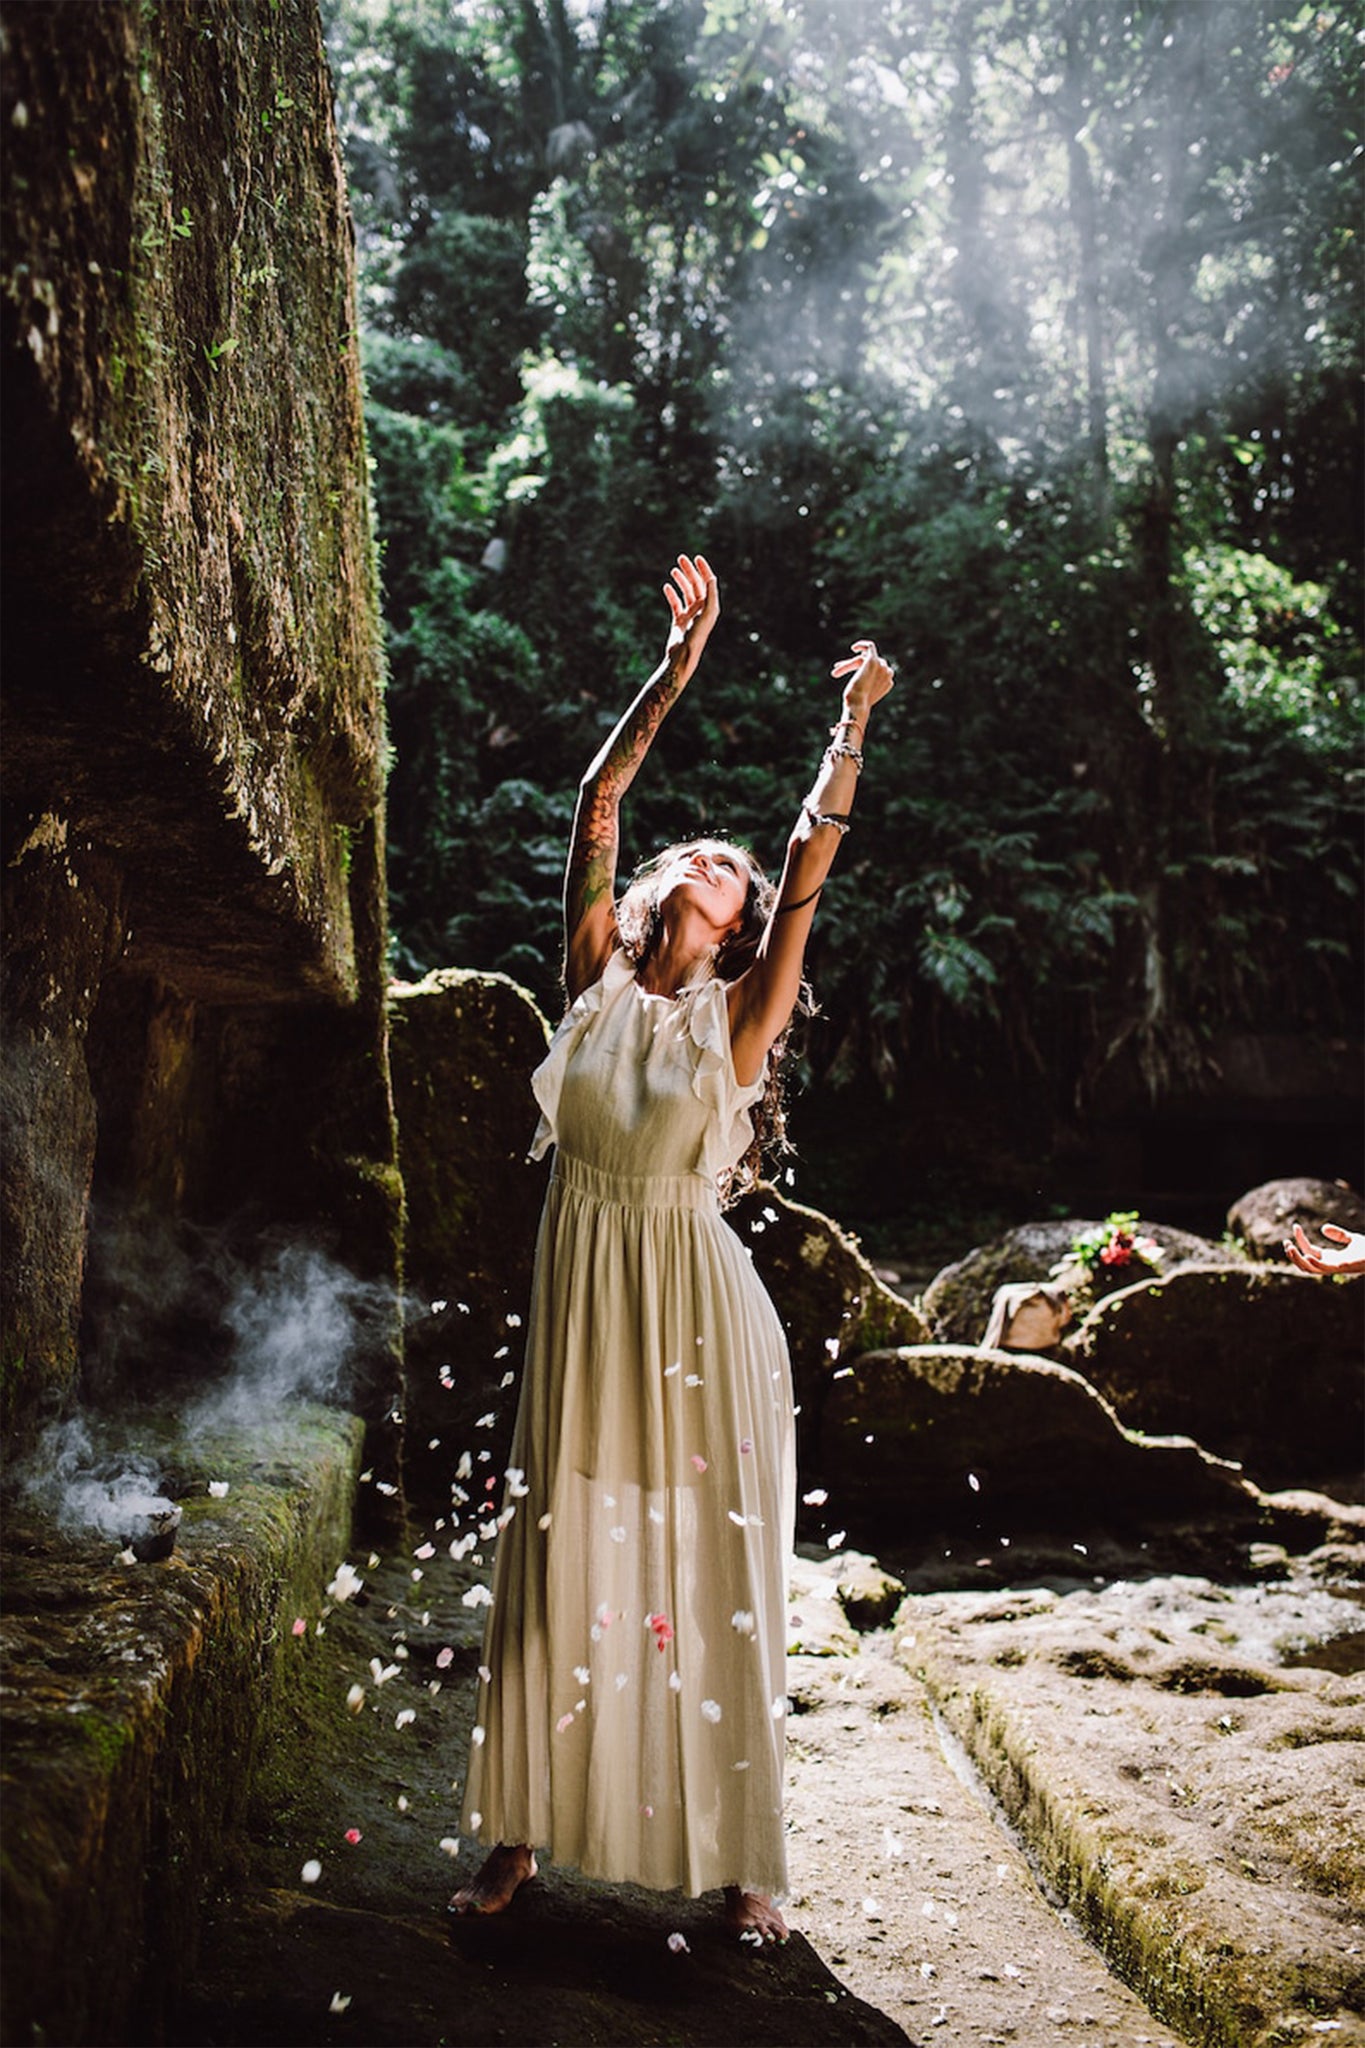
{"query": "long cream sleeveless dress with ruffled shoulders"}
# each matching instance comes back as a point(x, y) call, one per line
point(631, 1719)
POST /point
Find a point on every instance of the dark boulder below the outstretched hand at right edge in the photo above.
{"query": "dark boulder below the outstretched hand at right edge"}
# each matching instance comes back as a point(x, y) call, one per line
point(1258, 1363)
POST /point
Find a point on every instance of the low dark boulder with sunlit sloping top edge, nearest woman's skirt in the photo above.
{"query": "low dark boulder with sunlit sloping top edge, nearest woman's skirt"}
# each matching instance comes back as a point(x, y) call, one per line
point(940, 1437)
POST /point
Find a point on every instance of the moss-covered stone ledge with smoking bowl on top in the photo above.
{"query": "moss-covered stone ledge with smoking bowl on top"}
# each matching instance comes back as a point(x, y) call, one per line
point(138, 1703)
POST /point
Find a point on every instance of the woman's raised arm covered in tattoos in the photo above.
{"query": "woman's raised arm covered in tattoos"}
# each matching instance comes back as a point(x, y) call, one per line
point(590, 878)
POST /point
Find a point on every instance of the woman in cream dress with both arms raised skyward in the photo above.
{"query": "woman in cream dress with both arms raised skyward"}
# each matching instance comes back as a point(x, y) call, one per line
point(633, 1687)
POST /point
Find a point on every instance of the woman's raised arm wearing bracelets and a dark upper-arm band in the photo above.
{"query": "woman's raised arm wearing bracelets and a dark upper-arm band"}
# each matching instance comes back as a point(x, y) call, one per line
point(762, 1000)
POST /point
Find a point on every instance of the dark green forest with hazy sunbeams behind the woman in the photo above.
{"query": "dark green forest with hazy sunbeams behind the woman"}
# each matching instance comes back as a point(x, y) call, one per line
point(1022, 337)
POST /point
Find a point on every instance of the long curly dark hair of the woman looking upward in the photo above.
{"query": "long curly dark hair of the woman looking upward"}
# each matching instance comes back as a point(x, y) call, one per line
point(640, 925)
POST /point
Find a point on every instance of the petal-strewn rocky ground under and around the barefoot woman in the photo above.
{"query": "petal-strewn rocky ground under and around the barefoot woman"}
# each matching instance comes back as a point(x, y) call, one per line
point(916, 1908)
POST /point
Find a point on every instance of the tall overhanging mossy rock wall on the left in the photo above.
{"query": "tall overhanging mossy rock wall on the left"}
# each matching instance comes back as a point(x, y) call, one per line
point(193, 708)
